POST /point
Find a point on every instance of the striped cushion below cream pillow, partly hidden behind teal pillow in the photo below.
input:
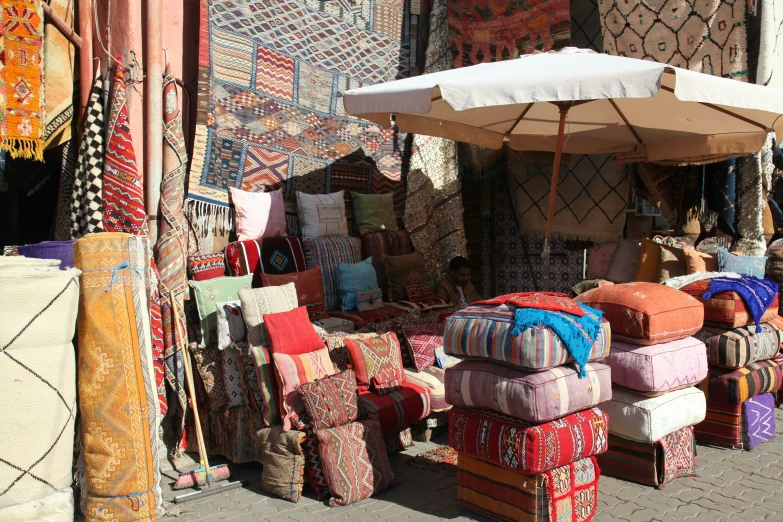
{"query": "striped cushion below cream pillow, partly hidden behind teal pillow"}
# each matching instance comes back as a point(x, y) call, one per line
point(326, 252)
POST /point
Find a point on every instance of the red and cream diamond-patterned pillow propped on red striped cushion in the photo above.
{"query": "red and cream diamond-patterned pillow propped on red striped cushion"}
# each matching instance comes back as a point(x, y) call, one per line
point(377, 362)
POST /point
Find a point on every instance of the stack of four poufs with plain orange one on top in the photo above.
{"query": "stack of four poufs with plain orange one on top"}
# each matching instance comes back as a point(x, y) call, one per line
point(655, 365)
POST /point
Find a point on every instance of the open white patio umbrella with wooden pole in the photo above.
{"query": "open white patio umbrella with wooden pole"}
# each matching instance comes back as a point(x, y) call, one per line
point(581, 102)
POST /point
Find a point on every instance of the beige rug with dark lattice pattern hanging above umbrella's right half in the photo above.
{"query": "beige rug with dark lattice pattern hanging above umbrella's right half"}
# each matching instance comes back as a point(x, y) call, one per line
point(708, 37)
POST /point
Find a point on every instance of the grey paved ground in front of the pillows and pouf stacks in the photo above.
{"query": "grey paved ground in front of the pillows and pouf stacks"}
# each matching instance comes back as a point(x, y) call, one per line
point(733, 486)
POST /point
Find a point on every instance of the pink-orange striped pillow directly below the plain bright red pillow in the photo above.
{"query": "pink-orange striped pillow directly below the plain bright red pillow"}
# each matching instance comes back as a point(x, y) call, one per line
point(293, 370)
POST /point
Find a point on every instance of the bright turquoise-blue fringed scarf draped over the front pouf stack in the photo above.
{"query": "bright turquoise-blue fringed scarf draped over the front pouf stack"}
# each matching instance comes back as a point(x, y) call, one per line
point(577, 333)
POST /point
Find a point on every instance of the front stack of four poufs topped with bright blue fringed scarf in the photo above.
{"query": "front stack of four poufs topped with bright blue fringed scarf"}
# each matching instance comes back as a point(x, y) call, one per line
point(524, 405)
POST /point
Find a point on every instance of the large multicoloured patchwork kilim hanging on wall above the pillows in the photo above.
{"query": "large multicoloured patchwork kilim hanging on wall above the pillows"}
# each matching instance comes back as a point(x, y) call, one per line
point(270, 112)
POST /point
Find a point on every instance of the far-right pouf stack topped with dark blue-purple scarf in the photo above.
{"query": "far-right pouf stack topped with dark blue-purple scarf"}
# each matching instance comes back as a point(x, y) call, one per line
point(743, 334)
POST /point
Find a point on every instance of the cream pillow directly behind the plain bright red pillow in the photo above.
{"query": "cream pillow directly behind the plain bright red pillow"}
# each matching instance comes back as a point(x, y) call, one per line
point(260, 301)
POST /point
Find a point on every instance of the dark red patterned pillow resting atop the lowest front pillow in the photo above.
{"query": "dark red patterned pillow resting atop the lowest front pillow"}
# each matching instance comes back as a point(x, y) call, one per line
point(332, 401)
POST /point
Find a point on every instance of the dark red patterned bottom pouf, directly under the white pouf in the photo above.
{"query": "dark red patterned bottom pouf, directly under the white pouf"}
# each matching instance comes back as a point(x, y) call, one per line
point(651, 463)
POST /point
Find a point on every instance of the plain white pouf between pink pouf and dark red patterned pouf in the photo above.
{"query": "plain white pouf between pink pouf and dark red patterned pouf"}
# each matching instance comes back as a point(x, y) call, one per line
point(649, 419)
